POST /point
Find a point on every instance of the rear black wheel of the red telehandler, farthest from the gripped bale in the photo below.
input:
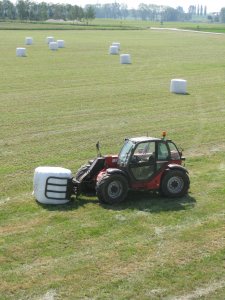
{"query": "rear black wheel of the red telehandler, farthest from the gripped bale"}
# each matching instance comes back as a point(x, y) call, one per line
point(175, 184)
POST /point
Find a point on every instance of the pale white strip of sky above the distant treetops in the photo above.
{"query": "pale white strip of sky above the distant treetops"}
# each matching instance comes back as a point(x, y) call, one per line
point(212, 5)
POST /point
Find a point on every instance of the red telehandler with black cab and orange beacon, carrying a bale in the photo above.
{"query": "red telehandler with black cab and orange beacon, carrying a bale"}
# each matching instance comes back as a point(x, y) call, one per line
point(143, 163)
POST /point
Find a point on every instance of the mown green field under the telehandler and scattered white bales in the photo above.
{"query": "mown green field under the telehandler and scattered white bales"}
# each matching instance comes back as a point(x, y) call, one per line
point(54, 107)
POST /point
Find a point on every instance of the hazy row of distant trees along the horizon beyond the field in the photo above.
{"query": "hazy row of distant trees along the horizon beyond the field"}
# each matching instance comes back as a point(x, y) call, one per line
point(27, 10)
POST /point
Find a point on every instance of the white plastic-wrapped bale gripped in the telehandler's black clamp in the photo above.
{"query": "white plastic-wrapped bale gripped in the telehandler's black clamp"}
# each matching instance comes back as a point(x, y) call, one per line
point(52, 185)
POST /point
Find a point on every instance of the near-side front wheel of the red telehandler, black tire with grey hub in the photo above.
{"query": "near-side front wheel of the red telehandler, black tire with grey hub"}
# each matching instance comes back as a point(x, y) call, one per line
point(112, 188)
